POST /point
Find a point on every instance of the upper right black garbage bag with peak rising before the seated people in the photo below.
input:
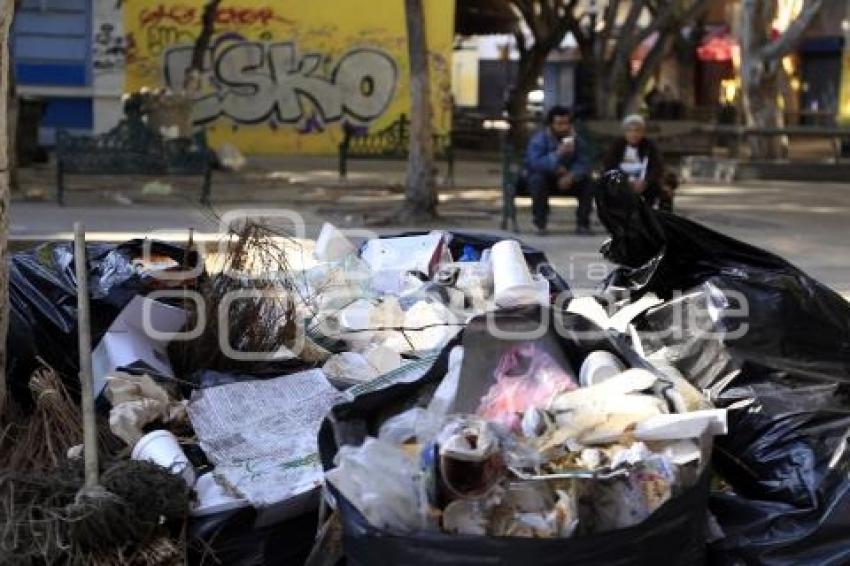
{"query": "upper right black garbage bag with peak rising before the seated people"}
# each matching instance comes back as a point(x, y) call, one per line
point(794, 323)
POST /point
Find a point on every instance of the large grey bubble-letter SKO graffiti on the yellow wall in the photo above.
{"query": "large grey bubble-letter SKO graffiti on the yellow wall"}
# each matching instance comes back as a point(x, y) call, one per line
point(255, 81)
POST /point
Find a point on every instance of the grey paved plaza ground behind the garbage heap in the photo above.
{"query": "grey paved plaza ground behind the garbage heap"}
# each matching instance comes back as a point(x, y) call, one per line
point(806, 223)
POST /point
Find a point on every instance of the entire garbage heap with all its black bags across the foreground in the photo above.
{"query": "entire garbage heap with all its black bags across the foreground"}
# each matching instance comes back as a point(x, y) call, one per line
point(428, 398)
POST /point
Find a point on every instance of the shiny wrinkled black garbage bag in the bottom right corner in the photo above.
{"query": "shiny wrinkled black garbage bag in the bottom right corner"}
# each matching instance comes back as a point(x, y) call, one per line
point(788, 461)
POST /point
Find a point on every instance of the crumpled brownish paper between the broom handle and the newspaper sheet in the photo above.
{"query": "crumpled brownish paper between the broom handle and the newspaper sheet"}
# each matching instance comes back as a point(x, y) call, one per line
point(137, 401)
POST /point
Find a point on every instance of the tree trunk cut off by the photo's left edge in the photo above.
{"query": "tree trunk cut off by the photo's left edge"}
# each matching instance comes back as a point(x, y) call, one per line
point(6, 15)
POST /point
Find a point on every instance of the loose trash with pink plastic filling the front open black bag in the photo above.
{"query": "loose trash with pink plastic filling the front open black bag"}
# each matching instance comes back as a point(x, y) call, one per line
point(543, 455)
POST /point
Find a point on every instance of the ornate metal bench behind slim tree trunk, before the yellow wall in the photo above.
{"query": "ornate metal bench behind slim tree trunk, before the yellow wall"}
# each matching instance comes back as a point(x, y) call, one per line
point(389, 143)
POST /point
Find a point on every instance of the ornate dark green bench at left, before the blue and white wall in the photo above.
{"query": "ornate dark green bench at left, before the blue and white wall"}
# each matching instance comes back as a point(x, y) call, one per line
point(132, 148)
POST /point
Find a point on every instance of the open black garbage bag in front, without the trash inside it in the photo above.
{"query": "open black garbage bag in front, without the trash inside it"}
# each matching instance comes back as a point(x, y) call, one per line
point(674, 534)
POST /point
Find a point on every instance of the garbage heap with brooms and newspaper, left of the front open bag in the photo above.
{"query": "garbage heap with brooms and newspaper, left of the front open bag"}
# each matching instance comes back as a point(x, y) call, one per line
point(219, 370)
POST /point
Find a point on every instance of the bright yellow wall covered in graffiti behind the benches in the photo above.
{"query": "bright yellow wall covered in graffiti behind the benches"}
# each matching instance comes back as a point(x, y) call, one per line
point(287, 76)
